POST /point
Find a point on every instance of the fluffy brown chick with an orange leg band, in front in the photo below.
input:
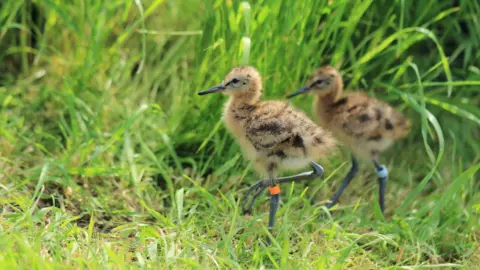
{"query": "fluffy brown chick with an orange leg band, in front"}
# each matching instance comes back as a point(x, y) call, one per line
point(272, 134)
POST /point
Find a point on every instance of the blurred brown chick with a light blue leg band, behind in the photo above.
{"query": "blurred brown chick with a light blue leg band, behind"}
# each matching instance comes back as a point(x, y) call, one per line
point(365, 124)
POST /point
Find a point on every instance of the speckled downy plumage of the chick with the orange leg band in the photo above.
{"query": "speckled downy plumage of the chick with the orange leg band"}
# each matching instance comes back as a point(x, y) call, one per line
point(273, 134)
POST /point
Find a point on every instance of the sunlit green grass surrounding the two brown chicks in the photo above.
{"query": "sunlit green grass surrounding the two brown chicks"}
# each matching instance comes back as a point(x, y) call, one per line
point(109, 159)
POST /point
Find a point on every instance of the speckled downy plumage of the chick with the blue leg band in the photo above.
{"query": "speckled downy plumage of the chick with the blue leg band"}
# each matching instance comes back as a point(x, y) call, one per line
point(369, 126)
